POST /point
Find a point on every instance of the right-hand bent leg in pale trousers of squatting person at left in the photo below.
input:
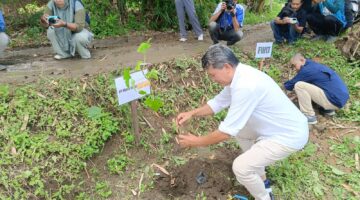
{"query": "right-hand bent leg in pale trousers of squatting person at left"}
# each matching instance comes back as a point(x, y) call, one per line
point(81, 41)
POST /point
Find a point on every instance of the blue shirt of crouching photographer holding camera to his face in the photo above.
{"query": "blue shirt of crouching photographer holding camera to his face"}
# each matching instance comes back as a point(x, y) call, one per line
point(225, 20)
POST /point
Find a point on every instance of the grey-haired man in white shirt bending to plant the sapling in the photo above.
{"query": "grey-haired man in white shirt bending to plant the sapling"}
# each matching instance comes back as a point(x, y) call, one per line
point(267, 125)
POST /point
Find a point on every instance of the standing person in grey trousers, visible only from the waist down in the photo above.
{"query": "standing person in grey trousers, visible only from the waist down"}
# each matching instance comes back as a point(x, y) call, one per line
point(188, 6)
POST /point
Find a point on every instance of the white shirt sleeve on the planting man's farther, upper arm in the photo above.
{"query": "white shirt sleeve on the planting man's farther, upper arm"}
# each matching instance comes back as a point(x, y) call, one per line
point(220, 101)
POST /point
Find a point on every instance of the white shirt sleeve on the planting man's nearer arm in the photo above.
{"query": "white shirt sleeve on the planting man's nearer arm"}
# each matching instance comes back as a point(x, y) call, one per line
point(244, 102)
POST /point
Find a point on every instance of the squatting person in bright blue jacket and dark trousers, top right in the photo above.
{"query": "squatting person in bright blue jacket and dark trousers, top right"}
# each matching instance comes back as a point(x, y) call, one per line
point(328, 19)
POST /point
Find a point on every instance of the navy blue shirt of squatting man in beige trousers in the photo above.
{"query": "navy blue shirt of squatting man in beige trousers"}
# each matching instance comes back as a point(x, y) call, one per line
point(324, 78)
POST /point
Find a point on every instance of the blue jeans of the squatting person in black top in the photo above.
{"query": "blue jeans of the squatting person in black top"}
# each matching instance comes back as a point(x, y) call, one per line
point(284, 31)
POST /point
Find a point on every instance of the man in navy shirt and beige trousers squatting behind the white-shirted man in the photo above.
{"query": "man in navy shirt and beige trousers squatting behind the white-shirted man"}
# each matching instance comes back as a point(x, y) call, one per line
point(317, 83)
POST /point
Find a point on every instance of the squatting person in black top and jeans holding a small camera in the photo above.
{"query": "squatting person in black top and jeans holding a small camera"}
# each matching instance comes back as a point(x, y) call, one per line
point(290, 22)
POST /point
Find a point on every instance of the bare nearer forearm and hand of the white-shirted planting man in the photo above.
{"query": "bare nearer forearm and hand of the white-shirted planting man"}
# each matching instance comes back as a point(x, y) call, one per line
point(191, 140)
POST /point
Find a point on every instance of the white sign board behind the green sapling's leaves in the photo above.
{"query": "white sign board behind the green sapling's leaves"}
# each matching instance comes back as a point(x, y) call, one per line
point(127, 94)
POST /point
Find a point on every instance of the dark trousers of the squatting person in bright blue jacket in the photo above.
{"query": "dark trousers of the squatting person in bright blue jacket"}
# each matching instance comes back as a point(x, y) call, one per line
point(324, 25)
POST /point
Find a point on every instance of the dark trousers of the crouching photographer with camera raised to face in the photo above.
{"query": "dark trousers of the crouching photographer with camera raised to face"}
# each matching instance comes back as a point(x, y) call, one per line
point(231, 36)
